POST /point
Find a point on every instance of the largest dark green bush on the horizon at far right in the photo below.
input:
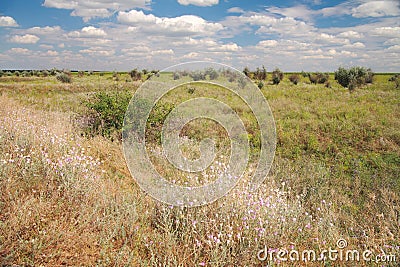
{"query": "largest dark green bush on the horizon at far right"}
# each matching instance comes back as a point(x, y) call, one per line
point(353, 77)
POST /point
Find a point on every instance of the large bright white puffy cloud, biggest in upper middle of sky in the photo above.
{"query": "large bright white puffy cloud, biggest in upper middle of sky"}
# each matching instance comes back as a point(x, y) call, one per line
point(186, 24)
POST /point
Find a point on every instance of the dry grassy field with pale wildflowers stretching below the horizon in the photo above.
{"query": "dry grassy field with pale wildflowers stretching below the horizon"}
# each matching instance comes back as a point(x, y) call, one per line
point(67, 197)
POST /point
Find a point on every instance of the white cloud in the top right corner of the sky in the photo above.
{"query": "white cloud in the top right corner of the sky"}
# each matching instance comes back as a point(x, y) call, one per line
point(377, 9)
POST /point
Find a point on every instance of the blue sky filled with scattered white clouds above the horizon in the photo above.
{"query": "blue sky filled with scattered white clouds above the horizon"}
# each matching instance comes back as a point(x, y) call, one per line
point(310, 35)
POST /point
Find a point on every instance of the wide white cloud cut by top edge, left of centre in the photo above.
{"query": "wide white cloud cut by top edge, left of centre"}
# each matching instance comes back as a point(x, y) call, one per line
point(99, 8)
